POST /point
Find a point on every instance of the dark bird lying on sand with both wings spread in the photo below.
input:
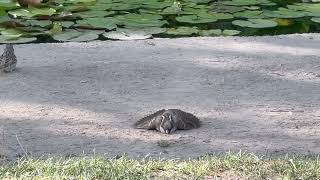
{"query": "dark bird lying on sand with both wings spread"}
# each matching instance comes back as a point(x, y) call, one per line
point(168, 121)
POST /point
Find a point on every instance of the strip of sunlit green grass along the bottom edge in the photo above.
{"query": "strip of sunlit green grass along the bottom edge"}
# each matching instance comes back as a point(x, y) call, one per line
point(227, 166)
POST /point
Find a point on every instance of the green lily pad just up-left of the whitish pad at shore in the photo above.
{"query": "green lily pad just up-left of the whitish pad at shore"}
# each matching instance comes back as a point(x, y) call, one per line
point(97, 23)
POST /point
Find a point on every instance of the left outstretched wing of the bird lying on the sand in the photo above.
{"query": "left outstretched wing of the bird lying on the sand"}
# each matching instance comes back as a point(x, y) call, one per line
point(148, 122)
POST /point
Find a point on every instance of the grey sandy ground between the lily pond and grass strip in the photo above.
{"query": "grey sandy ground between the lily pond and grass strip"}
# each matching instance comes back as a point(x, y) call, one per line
point(256, 94)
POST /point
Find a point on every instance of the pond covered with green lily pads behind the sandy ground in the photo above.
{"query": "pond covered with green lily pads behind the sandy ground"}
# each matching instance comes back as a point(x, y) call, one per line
point(86, 20)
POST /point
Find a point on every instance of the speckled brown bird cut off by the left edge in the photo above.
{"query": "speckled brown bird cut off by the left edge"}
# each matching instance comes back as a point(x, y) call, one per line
point(8, 59)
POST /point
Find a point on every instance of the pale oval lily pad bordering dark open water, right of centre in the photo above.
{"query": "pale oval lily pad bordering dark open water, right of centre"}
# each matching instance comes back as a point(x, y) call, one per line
point(255, 23)
